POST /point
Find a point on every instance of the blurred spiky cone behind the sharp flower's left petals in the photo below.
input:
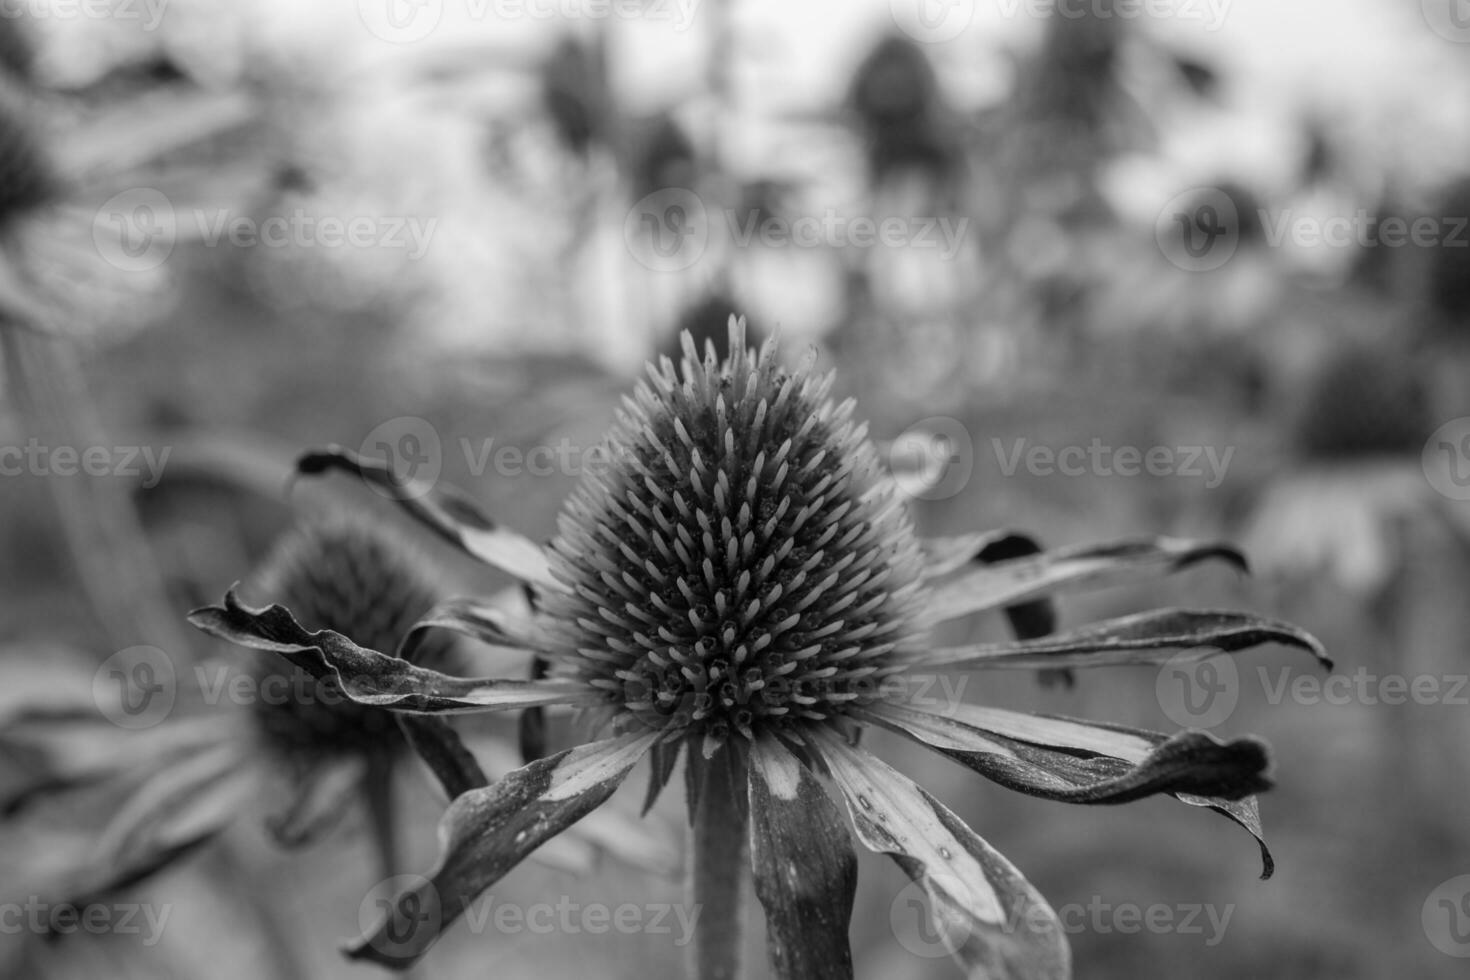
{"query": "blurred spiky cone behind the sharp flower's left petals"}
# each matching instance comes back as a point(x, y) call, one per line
point(345, 575)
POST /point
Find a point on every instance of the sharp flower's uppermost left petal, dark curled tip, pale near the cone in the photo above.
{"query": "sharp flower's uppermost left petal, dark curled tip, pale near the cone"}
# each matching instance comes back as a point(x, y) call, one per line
point(443, 509)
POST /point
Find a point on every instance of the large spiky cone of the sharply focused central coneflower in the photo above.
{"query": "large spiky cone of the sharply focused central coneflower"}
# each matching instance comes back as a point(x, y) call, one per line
point(742, 563)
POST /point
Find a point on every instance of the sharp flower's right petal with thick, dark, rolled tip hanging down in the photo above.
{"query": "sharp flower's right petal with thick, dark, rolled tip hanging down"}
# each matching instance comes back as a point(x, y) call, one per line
point(1094, 763)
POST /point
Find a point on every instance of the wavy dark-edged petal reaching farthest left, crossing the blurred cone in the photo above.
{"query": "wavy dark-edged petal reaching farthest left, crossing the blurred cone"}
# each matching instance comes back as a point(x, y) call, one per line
point(371, 678)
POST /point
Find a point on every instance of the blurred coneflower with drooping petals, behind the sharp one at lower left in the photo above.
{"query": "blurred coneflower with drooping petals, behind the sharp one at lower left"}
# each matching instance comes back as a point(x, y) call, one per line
point(274, 735)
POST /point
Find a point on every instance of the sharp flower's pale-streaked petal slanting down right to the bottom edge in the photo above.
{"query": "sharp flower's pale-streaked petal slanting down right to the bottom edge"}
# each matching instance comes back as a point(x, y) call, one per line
point(992, 919)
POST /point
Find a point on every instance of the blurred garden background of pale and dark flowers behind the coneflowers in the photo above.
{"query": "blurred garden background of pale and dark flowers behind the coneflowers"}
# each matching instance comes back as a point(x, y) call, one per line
point(1093, 268)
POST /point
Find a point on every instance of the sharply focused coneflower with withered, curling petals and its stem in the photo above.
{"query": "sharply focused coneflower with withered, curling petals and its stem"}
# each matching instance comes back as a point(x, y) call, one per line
point(742, 586)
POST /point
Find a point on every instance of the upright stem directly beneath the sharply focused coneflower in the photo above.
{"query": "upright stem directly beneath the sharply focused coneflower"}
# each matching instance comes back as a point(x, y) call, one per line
point(718, 872)
